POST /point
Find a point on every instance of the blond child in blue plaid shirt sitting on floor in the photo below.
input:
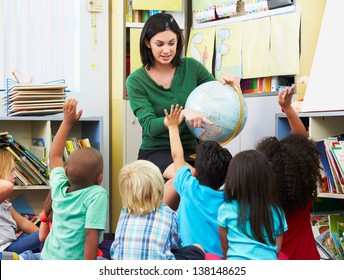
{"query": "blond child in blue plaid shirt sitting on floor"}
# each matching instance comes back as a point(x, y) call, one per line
point(147, 229)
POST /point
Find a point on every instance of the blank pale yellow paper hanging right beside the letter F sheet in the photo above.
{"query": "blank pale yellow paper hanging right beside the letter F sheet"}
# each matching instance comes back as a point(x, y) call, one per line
point(256, 48)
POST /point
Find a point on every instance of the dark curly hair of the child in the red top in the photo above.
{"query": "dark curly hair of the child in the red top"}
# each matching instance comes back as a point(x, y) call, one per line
point(296, 162)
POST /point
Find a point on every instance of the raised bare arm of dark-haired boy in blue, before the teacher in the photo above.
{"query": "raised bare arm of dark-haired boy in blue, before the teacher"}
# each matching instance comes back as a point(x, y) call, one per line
point(172, 122)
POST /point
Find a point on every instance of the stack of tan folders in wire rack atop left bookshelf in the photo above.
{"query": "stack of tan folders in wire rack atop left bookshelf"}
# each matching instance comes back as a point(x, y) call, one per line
point(32, 100)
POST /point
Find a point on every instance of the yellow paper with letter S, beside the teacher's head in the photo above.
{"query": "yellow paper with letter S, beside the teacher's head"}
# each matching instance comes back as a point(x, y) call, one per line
point(201, 46)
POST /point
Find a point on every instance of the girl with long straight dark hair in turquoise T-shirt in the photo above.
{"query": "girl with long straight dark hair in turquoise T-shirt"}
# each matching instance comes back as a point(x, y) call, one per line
point(251, 220)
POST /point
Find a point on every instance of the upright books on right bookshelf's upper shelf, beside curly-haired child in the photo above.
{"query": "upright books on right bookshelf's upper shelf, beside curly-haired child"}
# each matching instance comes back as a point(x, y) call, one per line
point(332, 161)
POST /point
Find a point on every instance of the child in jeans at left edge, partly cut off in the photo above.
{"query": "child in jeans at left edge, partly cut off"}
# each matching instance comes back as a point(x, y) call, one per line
point(11, 220)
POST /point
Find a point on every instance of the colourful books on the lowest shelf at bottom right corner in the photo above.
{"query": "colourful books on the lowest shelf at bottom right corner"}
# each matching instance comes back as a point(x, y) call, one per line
point(328, 230)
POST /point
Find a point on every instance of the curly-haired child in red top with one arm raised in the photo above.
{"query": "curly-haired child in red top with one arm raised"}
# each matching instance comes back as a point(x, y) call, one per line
point(295, 160)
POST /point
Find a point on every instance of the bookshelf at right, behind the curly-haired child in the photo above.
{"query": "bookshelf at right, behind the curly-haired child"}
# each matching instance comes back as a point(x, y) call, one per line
point(320, 125)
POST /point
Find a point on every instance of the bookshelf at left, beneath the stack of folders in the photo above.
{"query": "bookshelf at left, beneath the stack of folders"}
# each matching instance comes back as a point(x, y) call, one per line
point(25, 128)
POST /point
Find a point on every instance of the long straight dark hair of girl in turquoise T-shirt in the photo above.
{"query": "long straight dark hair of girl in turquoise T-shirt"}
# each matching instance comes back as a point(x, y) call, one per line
point(251, 182)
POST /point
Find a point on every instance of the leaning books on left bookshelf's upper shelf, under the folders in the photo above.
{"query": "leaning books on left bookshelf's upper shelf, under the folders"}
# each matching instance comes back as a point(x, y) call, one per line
point(29, 169)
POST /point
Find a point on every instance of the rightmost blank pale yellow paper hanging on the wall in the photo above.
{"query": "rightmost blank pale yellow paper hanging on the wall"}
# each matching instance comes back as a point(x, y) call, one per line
point(285, 41)
